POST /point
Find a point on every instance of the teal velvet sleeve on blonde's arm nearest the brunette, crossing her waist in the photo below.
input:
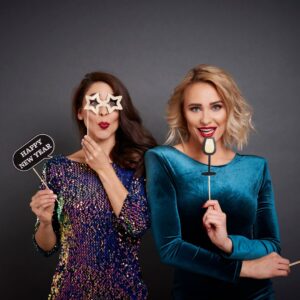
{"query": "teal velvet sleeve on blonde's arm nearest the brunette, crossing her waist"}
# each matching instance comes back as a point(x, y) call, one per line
point(173, 250)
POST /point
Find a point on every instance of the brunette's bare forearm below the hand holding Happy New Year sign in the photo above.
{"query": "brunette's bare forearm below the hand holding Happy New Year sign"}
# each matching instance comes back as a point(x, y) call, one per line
point(45, 237)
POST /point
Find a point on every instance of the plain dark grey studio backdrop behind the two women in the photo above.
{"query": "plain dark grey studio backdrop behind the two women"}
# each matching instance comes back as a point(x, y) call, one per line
point(47, 47)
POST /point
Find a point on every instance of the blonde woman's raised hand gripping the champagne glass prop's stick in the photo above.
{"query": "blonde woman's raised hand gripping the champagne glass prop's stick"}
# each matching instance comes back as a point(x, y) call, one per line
point(214, 220)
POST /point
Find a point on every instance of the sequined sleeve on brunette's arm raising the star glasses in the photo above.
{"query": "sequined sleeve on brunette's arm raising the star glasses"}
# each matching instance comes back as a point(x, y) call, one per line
point(134, 216)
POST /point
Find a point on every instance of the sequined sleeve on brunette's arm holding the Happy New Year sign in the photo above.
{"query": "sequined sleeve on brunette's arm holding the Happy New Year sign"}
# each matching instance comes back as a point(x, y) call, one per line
point(48, 174)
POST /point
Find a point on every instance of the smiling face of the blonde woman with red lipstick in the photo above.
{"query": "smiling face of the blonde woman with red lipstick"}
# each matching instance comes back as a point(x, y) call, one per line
point(205, 112)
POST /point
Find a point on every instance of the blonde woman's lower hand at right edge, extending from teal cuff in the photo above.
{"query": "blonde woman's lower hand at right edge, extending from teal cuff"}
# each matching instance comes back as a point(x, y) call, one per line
point(271, 265)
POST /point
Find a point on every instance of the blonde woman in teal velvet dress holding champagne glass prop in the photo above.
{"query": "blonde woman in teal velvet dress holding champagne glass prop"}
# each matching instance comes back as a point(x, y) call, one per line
point(221, 247)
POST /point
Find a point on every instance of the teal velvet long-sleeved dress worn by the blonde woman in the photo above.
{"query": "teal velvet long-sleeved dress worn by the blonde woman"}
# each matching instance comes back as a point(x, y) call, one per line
point(177, 191)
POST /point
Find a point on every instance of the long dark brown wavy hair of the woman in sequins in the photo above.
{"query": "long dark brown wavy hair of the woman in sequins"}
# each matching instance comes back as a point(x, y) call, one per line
point(132, 138)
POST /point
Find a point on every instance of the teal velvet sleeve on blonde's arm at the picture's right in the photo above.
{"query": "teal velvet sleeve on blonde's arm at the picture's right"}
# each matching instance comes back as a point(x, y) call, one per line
point(265, 230)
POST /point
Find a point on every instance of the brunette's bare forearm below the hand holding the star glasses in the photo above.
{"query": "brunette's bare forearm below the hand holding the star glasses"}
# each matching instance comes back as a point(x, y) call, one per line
point(114, 188)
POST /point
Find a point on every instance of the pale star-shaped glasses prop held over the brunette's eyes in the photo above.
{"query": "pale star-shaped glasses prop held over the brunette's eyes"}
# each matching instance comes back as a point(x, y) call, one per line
point(94, 102)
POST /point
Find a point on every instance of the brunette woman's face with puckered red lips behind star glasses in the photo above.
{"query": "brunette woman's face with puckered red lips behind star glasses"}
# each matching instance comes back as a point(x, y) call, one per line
point(104, 125)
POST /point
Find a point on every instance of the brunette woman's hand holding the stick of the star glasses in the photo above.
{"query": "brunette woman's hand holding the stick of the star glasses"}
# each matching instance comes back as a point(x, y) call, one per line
point(94, 155)
